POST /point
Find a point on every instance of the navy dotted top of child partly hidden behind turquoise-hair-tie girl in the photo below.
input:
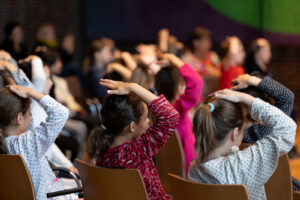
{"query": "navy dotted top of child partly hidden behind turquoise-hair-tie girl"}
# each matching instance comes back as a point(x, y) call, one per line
point(284, 100)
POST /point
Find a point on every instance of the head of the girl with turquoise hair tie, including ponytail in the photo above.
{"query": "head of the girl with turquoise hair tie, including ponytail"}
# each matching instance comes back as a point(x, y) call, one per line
point(221, 128)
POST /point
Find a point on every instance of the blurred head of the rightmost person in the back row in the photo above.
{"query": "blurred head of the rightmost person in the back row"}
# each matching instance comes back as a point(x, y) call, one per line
point(262, 50)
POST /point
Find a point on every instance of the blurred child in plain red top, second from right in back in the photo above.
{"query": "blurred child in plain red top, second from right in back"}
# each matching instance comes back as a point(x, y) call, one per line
point(231, 63)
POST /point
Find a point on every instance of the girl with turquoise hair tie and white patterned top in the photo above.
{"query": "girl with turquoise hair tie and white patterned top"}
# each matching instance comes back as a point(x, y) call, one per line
point(219, 128)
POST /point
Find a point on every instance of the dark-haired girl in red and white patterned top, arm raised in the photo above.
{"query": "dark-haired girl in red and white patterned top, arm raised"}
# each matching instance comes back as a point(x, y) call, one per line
point(124, 139)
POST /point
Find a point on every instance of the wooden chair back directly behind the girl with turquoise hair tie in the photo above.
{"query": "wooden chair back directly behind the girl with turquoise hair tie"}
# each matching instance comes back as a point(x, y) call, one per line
point(183, 189)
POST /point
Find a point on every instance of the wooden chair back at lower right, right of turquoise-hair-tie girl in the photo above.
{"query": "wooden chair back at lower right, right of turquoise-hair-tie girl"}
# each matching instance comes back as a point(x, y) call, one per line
point(279, 186)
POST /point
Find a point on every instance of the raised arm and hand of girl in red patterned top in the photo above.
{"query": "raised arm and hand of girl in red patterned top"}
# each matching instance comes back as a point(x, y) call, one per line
point(167, 117)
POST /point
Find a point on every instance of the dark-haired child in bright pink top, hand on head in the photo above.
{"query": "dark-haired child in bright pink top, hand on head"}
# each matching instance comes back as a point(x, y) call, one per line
point(182, 86)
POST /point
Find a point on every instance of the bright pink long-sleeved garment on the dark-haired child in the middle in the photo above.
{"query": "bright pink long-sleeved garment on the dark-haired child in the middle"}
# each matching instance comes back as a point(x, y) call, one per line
point(183, 104)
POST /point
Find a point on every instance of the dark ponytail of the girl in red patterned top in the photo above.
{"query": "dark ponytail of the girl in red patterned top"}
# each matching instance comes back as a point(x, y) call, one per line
point(99, 142)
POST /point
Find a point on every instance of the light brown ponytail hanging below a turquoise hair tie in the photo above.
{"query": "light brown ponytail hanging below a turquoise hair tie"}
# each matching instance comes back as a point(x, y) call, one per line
point(205, 131)
